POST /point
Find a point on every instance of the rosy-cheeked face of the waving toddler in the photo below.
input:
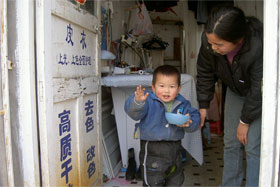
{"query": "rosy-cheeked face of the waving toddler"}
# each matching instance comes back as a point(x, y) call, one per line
point(166, 87)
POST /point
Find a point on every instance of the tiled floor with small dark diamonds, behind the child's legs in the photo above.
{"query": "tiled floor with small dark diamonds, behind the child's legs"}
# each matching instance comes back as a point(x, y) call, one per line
point(208, 174)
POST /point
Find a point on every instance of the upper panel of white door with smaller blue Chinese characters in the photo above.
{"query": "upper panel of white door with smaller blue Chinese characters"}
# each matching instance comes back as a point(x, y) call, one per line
point(73, 49)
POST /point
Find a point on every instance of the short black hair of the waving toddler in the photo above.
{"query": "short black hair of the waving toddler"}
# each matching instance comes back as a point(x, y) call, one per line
point(166, 70)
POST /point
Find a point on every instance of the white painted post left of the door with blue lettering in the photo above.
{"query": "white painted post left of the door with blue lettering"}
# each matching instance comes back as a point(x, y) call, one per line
point(22, 92)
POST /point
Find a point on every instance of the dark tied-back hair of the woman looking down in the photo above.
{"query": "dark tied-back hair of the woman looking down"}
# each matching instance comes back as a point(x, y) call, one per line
point(231, 24)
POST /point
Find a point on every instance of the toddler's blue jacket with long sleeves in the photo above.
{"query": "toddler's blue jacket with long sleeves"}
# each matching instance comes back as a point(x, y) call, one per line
point(153, 125)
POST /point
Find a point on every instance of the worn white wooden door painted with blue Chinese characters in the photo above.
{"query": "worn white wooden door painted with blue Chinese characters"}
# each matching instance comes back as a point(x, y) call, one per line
point(68, 94)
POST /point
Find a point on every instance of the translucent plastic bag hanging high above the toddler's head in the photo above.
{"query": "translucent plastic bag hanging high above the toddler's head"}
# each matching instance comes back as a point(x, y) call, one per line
point(140, 21)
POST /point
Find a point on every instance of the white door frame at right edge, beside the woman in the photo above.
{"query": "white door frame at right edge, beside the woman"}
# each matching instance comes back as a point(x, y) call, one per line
point(270, 142)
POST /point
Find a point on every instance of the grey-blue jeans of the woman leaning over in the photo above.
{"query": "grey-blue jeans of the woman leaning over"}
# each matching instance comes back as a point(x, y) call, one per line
point(233, 150)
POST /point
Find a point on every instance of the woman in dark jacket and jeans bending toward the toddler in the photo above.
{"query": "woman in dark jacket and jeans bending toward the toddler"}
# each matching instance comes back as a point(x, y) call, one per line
point(232, 50)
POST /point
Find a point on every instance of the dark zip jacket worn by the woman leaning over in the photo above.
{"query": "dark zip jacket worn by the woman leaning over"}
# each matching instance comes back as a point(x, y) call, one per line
point(243, 76)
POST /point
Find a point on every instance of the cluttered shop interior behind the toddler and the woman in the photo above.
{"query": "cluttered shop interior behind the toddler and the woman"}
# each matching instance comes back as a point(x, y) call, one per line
point(131, 48)
